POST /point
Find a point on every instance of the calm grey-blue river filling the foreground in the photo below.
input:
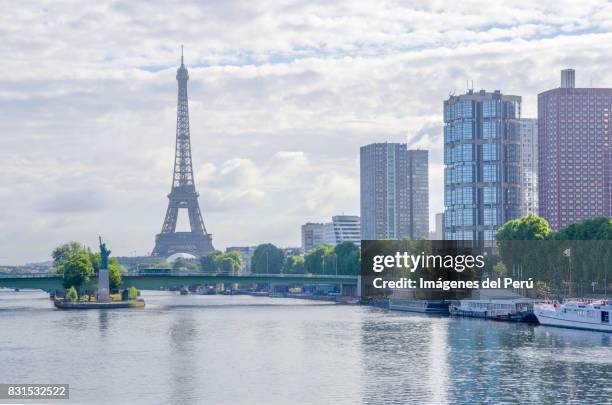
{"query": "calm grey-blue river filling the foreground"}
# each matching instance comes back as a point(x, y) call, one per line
point(257, 350)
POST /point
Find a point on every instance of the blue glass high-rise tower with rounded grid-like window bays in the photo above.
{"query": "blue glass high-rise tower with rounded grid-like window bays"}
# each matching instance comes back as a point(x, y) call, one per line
point(482, 164)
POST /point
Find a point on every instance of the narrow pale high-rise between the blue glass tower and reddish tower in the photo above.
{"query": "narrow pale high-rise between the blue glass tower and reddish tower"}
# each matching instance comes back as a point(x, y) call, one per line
point(529, 166)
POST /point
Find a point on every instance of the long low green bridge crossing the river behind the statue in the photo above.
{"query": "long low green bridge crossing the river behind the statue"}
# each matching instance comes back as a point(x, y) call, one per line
point(53, 281)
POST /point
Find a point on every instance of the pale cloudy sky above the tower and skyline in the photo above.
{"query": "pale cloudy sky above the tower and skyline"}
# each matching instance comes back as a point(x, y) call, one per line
point(282, 94)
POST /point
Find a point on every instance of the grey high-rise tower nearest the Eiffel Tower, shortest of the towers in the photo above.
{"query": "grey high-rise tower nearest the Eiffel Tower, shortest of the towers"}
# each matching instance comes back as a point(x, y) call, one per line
point(394, 192)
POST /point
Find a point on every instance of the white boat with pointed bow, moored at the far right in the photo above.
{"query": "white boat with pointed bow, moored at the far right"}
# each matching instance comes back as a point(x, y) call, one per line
point(578, 315)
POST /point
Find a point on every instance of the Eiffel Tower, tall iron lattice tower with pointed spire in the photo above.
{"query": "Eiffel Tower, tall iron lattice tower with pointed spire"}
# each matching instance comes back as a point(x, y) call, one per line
point(183, 194)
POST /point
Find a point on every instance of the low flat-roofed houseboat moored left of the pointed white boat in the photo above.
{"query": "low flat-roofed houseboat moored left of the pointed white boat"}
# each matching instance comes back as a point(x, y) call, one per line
point(520, 310)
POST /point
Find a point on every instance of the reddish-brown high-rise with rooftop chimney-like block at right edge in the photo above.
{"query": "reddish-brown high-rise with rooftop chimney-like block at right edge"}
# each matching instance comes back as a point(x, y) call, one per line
point(575, 158)
